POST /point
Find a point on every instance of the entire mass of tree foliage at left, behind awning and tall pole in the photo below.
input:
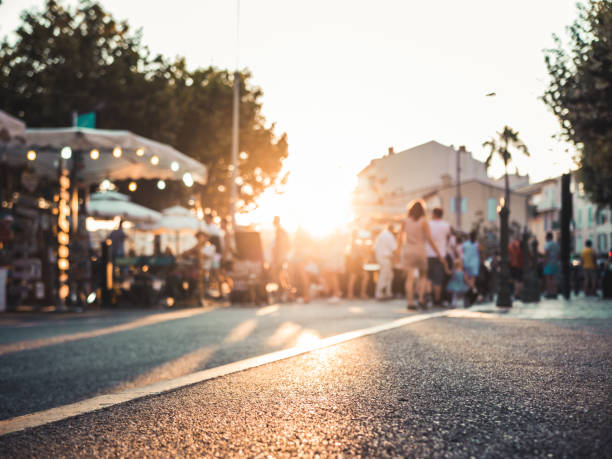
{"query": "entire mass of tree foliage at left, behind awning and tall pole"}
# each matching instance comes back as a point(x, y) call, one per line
point(65, 59)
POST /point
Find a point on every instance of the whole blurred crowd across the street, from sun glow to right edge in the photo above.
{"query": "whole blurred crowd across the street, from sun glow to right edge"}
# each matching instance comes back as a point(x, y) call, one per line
point(422, 259)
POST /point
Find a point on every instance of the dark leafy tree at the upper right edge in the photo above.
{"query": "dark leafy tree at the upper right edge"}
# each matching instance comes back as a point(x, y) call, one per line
point(580, 95)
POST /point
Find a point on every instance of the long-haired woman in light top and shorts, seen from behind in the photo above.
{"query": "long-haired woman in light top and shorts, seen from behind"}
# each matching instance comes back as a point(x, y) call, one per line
point(411, 241)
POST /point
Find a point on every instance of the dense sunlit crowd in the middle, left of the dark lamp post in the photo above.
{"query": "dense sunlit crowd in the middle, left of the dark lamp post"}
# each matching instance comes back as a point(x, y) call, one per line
point(423, 259)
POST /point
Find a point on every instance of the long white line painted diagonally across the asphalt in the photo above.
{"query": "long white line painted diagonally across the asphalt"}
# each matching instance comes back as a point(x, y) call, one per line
point(59, 413)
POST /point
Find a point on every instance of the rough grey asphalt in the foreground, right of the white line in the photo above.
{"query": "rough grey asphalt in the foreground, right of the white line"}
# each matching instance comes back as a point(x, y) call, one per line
point(441, 388)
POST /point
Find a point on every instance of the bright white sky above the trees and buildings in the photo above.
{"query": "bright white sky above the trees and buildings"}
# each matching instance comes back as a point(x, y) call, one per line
point(346, 79)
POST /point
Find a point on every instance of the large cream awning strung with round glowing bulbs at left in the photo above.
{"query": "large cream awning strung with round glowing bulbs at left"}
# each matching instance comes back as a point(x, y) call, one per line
point(119, 155)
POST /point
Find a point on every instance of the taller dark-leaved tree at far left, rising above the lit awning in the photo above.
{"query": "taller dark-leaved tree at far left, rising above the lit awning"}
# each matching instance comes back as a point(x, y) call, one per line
point(85, 60)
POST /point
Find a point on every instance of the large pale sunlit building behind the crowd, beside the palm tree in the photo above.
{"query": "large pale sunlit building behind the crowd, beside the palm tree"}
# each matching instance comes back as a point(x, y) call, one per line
point(429, 171)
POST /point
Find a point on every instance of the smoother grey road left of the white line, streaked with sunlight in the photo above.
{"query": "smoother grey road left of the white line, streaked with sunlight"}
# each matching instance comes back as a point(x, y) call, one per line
point(46, 377)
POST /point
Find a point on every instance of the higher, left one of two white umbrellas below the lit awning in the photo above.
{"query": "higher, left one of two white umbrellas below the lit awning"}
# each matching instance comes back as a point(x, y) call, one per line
point(111, 204)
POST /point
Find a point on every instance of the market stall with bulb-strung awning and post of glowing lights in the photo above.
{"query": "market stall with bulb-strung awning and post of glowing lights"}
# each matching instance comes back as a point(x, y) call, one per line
point(58, 166)
